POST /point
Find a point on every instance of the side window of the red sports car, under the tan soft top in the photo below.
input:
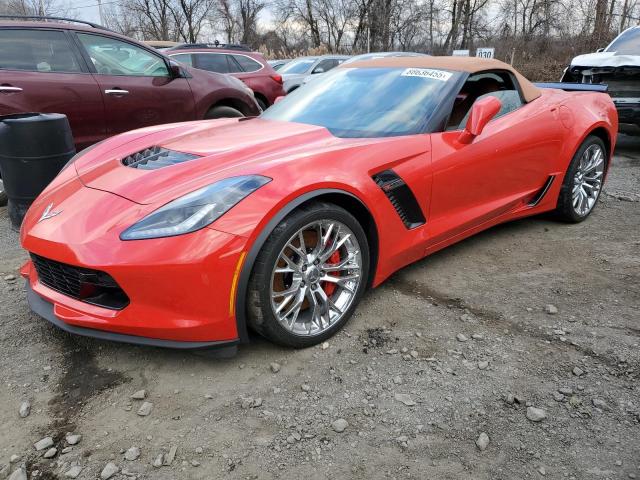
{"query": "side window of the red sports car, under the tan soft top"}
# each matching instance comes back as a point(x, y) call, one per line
point(481, 85)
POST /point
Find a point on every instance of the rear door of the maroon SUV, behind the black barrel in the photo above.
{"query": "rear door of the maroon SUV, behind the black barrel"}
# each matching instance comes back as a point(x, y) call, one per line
point(42, 71)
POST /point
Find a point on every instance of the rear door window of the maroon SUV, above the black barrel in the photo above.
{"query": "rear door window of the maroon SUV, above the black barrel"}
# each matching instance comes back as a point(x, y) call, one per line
point(47, 51)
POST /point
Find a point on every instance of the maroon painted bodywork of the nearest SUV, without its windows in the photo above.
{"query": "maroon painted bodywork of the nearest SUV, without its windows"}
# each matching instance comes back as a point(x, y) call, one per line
point(94, 115)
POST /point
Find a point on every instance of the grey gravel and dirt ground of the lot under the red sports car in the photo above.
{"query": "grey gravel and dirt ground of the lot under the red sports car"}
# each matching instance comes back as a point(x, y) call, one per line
point(456, 345)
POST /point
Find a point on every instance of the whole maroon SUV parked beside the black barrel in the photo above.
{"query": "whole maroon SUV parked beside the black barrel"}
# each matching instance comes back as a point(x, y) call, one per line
point(106, 83)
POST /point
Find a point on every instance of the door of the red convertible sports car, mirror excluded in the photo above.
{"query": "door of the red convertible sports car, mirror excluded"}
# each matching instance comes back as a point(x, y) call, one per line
point(501, 170)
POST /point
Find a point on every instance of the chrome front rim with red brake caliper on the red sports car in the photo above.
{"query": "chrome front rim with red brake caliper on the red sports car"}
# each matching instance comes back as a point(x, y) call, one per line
point(316, 277)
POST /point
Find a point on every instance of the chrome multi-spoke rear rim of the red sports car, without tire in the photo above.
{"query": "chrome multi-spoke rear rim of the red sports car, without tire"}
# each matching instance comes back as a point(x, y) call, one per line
point(587, 181)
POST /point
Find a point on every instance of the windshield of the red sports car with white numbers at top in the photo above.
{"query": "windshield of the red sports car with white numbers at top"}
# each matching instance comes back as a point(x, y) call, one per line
point(367, 102)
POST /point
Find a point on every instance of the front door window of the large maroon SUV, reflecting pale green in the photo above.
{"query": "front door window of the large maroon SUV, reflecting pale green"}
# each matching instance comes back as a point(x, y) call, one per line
point(114, 57)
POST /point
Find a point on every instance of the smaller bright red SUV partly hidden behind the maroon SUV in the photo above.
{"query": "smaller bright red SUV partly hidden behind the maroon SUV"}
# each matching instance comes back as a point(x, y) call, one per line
point(237, 60)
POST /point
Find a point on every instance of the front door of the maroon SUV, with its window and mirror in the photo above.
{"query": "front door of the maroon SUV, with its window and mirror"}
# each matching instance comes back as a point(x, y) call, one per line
point(137, 87)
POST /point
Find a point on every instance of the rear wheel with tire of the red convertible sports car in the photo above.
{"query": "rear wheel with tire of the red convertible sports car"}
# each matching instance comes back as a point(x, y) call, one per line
point(583, 181)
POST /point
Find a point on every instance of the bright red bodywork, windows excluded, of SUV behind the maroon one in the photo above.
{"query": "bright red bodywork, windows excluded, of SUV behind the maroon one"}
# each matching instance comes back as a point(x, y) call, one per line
point(265, 82)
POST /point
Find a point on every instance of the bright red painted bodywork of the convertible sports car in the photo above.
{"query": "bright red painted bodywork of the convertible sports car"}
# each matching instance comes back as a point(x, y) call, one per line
point(186, 287)
